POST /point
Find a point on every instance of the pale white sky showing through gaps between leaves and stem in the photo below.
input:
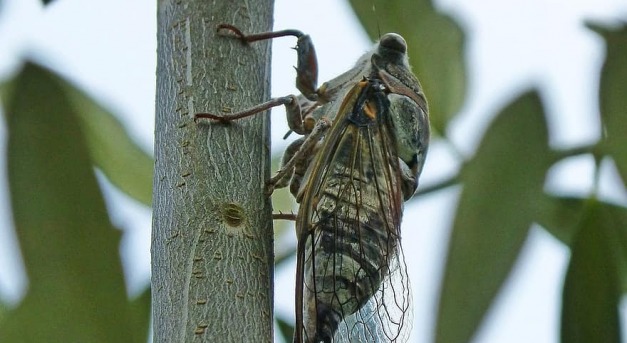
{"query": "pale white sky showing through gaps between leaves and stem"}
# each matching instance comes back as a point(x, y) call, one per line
point(109, 48)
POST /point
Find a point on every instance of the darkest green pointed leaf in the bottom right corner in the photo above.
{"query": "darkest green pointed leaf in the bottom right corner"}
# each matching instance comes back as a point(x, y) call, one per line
point(591, 289)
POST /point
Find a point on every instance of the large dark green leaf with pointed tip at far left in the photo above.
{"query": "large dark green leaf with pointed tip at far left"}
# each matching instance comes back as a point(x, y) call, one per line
point(76, 290)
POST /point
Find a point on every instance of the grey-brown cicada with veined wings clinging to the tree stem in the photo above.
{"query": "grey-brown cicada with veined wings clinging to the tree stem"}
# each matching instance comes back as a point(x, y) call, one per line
point(365, 139)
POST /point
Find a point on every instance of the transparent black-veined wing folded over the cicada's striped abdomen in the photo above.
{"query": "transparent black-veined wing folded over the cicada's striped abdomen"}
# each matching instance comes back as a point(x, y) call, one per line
point(351, 276)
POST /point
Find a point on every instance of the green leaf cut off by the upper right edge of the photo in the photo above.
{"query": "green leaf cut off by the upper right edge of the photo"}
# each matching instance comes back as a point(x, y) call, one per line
point(613, 97)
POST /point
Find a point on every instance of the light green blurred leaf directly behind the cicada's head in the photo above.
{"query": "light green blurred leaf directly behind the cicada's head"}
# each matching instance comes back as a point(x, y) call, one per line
point(435, 43)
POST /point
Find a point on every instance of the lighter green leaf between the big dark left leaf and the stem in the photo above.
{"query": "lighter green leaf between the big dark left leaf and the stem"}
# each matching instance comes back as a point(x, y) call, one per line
point(112, 150)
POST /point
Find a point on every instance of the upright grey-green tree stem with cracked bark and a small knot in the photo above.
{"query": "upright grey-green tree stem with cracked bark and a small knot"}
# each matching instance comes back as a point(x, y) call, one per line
point(212, 257)
